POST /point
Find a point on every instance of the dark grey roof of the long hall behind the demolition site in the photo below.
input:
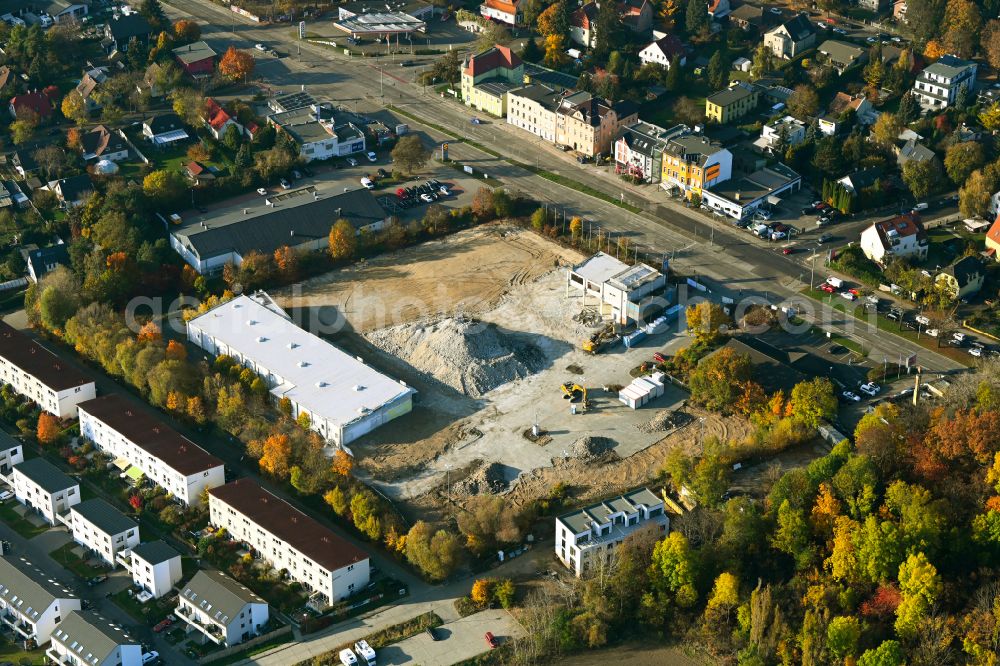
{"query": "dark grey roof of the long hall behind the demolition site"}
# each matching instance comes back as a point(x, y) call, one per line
point(297, 217)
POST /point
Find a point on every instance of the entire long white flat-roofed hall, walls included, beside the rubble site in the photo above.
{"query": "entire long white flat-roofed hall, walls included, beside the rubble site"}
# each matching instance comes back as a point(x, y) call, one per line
point(342, 397)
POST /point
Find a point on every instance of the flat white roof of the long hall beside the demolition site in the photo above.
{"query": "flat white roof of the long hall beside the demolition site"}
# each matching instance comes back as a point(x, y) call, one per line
point(316, 375)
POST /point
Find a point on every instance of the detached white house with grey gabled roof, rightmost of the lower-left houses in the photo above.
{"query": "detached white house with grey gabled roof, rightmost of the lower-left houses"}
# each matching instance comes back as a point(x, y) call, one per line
point(224, 611)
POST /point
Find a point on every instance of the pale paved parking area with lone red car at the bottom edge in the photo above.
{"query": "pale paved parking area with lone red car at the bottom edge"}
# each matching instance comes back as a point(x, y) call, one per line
point(459, 640)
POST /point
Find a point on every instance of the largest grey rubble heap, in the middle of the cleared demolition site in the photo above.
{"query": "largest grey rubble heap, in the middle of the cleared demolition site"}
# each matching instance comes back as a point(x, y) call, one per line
point(470, 356)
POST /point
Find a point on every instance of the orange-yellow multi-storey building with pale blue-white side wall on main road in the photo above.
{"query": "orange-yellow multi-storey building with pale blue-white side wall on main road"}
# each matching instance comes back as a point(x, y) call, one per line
point(693, 163)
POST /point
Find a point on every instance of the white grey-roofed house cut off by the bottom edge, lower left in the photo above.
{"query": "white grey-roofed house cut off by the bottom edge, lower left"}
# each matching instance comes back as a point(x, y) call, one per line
point(86, 639)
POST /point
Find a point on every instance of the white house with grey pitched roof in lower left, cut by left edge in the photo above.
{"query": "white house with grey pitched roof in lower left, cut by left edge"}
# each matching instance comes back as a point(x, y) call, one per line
point(30, 606)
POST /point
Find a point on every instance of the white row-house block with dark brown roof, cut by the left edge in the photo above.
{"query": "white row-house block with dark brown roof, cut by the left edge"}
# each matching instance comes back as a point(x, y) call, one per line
point(36, 373)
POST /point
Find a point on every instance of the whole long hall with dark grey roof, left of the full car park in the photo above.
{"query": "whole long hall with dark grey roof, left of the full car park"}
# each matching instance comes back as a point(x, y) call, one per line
point(300, 219)
